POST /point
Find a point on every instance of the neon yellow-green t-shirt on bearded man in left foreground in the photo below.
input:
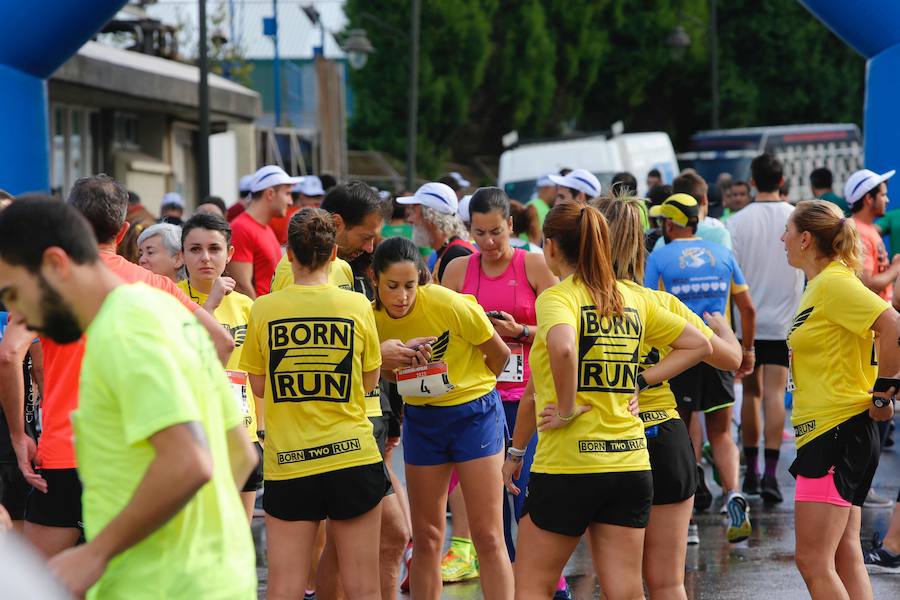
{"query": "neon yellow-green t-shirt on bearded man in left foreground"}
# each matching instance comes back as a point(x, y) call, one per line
point(149, 365)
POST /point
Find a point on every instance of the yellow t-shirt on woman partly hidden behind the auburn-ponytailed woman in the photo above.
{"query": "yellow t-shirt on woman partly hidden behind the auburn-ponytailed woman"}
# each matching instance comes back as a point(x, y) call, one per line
point(657, 402)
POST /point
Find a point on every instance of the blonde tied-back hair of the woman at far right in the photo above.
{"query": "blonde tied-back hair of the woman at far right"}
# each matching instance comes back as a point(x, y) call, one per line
point(834, 235)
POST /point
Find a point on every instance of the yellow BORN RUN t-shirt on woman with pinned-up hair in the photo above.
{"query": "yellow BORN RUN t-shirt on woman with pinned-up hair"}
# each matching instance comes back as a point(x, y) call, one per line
point(313, 343)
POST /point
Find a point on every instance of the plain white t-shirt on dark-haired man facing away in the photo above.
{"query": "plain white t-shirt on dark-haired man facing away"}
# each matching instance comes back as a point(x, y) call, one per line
point(776, 286)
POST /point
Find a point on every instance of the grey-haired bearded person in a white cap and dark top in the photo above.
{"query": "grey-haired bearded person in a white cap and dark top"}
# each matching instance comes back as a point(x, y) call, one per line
point(436, 224)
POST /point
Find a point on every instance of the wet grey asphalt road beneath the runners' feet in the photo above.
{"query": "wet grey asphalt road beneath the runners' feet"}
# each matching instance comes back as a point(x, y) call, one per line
point(761, 567)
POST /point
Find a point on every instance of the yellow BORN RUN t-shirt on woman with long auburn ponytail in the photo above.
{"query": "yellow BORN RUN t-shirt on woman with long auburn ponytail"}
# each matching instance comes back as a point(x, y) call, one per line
point(608, 438)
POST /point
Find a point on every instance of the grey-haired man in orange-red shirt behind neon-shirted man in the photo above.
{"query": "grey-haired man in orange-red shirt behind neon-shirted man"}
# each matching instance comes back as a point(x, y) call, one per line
point(53, 516)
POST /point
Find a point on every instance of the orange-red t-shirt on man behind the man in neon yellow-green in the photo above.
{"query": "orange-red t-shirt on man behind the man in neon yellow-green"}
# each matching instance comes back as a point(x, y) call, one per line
point(62, 370)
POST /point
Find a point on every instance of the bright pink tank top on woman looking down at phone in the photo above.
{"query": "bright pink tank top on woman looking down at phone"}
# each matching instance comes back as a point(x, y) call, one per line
point(512, 293)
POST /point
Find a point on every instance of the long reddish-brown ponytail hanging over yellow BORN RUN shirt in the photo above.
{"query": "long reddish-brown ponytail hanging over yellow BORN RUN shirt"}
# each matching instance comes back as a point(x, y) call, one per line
point(582, 236)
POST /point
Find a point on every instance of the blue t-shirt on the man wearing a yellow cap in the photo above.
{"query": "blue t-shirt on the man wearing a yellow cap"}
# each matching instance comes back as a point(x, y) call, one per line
point(702, 274)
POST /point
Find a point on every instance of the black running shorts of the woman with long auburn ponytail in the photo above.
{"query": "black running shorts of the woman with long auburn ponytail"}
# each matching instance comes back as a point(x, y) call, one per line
point(568, 504)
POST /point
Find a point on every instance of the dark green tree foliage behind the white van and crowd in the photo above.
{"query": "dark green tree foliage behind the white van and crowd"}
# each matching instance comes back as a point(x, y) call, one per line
point(545, 67)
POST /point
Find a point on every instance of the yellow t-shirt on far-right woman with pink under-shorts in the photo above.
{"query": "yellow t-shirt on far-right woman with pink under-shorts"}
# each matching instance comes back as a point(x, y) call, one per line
point(832, 346)
